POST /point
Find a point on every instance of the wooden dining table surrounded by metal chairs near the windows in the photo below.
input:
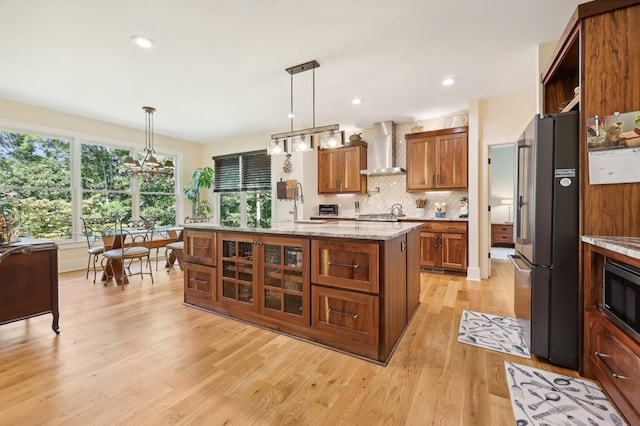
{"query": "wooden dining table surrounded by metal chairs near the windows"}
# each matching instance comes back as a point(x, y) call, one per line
point(162, 235)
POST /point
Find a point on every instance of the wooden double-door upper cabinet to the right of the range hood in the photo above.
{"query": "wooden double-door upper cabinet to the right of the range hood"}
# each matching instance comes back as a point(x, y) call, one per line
point(437, 159)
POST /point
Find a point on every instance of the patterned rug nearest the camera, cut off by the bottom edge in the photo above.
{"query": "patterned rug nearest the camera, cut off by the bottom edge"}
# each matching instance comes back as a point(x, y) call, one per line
point(540, 398)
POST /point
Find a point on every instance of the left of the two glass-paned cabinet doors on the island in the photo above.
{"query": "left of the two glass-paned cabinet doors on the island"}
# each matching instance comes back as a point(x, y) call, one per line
point(237, 272)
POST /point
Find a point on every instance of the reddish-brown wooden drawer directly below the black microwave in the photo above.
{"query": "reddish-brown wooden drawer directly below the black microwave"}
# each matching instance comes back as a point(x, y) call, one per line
point(617, 364)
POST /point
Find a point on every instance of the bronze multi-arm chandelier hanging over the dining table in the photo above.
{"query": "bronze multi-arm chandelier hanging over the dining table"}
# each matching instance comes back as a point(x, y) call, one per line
point(150, 168)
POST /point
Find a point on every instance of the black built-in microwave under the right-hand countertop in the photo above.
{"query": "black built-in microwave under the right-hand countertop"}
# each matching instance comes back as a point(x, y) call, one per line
point(621, 296)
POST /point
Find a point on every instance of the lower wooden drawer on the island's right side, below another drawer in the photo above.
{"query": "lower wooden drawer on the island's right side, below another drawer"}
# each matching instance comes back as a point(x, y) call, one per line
point(346, 316)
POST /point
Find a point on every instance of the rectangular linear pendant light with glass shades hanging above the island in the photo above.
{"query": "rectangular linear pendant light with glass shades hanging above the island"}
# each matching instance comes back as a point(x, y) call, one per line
point(302, 140)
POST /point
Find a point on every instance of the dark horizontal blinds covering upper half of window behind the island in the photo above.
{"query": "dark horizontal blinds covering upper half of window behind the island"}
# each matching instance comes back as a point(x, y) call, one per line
point(250, 171)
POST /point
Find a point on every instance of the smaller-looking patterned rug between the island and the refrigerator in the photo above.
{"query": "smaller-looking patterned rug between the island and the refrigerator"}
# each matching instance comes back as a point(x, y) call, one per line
point(492, 332)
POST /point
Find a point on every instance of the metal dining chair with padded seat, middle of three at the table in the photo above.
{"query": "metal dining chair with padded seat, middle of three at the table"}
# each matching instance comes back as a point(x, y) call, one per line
point(131, 242)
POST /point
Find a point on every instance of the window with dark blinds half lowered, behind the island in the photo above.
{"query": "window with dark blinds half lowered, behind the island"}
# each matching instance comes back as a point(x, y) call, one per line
point(243, 184)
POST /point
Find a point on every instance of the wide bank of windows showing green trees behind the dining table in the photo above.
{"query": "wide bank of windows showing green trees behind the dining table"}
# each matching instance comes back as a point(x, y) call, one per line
point(52, 178)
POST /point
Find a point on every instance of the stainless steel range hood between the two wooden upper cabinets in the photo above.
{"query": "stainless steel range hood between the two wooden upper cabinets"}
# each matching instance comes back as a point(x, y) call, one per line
point(382, 151)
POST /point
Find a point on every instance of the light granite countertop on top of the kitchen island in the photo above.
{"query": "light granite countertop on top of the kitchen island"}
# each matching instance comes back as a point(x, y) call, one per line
point(317, 228)
